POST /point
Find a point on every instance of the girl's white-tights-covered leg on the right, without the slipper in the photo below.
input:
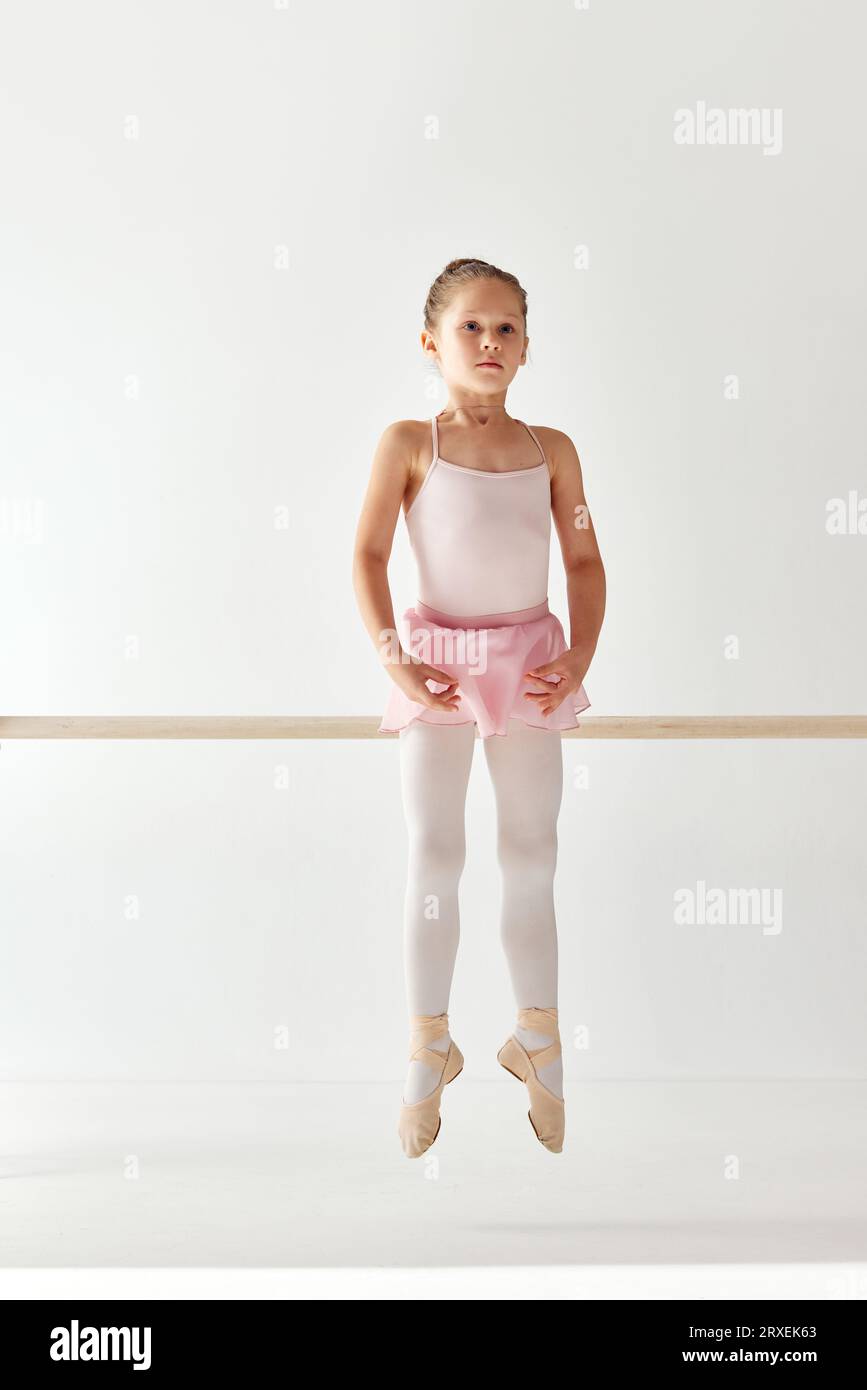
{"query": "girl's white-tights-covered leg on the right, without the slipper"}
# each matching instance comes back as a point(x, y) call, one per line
point(527, 775)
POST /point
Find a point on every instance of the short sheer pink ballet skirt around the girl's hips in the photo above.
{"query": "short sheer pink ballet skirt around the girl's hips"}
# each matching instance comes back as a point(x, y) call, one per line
point(487, 657)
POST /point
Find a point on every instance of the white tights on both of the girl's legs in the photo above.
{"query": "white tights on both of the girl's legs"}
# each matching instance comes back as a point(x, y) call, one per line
point(527, 774)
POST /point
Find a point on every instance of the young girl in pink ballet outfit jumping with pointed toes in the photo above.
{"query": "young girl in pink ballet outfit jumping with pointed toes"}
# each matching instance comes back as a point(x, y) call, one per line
point(484, 654)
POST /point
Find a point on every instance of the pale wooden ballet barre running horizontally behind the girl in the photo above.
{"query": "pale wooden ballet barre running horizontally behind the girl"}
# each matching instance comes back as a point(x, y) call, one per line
point(366, 726)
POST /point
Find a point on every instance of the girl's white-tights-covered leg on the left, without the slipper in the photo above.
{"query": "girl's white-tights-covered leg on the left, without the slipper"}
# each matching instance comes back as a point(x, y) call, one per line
point(436, 762)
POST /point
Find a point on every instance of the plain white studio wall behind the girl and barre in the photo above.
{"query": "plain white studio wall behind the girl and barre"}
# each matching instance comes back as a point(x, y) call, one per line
point(220, 227)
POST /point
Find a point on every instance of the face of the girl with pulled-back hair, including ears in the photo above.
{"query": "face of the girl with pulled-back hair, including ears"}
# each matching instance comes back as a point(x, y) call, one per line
point(483, 323)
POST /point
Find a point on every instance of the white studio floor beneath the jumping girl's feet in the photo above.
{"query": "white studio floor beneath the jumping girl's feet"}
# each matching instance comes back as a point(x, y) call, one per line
point(688, 1189)
